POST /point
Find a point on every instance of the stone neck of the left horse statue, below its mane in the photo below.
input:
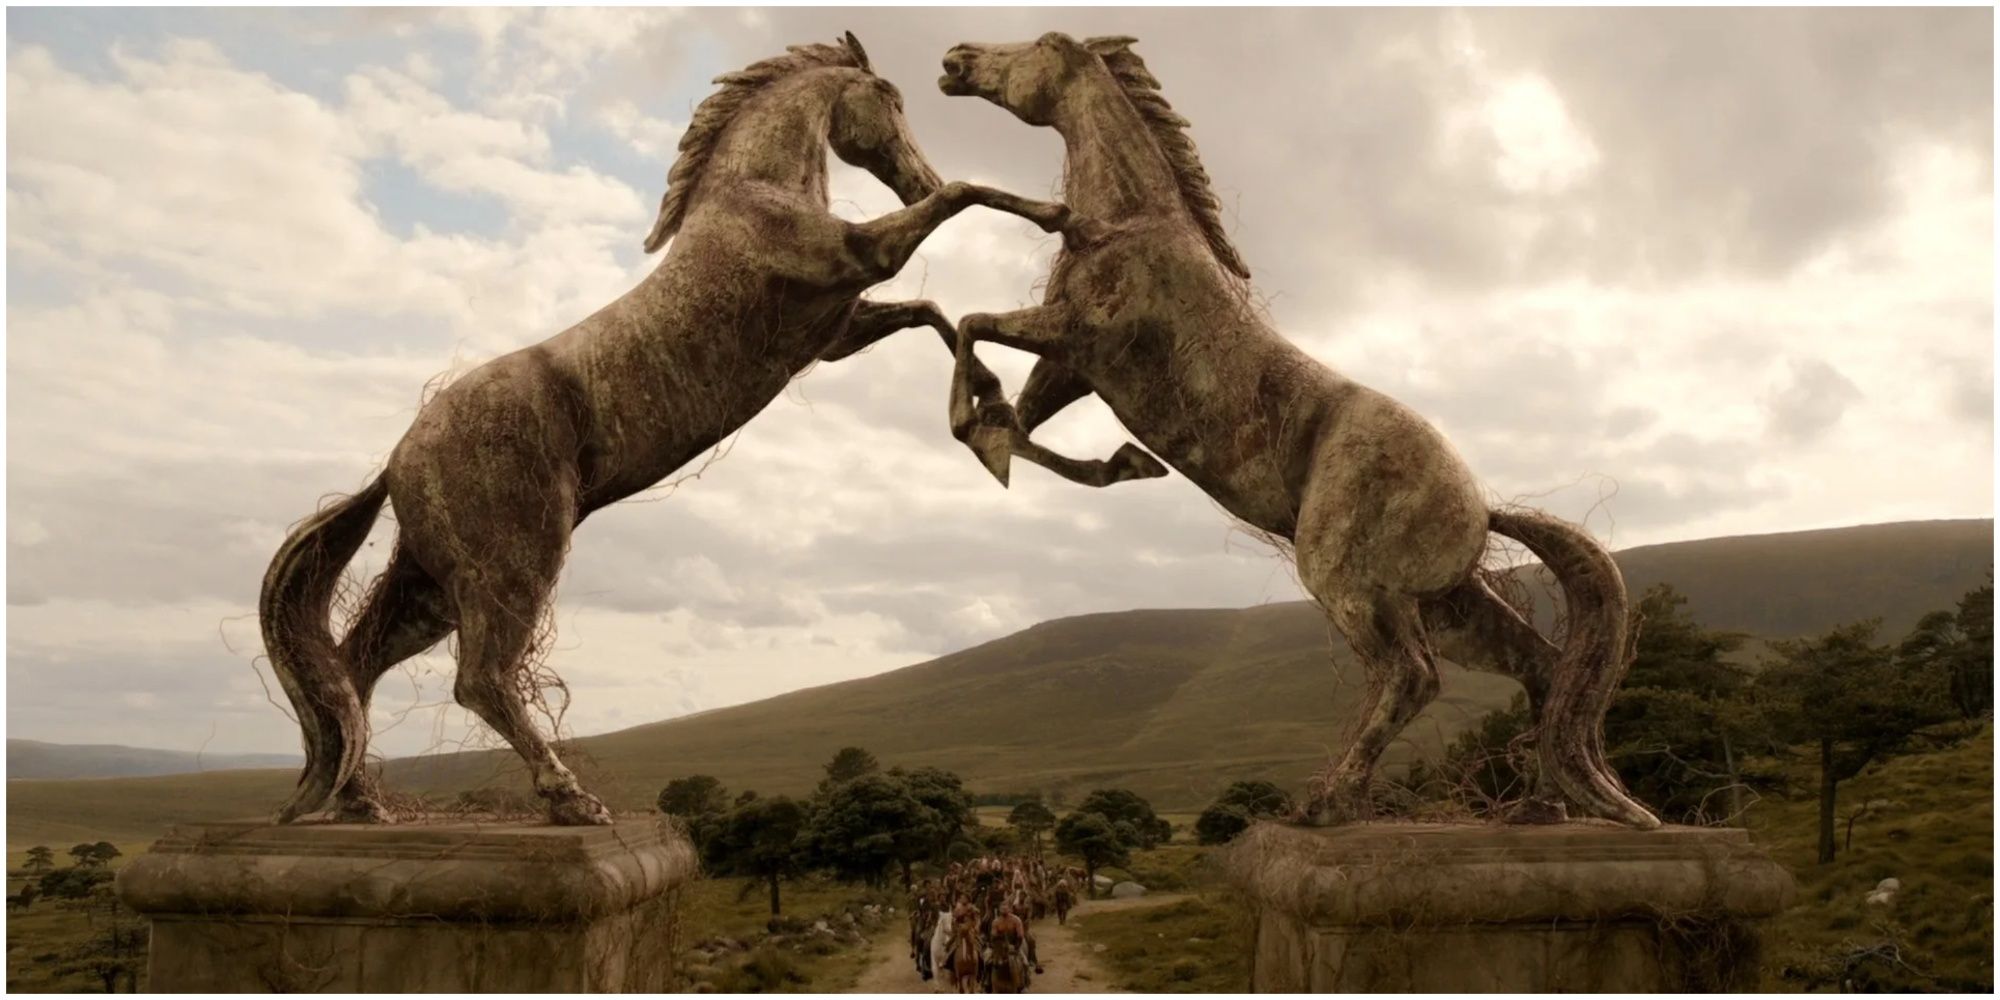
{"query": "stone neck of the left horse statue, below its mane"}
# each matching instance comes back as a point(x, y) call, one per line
point(779, 139)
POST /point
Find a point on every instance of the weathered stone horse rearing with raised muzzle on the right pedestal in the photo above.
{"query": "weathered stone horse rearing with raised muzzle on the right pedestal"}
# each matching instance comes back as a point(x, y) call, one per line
point(1149, 309)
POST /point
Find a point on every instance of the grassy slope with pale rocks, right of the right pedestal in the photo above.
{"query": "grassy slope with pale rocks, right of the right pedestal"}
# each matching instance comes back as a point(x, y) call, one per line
point(1935, 839)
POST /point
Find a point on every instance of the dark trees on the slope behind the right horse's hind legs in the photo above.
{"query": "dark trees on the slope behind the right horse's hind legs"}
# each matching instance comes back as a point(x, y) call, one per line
point(1693, 729)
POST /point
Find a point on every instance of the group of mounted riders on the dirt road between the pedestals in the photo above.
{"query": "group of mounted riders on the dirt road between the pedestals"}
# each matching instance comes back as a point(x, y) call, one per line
point(973, 927)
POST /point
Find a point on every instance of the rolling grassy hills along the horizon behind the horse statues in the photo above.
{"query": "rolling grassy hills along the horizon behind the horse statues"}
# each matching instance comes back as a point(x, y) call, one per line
point(1167, 703)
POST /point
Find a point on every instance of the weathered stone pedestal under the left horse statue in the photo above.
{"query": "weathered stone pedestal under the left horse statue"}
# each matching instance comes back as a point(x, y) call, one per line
point(413, 907)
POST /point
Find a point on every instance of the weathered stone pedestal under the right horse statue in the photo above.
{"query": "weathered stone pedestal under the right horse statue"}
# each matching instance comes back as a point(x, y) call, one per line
point(1505, 909)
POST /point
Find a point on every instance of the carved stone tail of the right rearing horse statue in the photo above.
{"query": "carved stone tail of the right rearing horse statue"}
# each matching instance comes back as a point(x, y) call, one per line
point(1591, 665)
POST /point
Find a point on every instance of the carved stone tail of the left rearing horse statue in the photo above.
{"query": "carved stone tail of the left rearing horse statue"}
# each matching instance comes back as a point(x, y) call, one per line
point(295, 609)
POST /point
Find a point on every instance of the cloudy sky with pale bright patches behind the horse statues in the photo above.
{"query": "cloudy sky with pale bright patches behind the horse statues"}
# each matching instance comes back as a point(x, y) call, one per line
point(1681, 273)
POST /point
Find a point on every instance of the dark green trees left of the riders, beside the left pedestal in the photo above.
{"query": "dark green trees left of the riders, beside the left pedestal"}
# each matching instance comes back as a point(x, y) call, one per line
point(861, 823)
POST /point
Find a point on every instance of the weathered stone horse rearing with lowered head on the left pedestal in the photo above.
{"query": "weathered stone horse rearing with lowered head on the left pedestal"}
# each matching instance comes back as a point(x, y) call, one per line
point(505, 463)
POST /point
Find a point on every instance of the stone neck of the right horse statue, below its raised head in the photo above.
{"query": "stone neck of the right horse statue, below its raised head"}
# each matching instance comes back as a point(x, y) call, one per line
point(1113, 167)
